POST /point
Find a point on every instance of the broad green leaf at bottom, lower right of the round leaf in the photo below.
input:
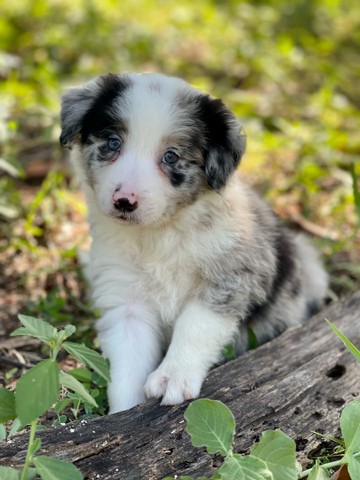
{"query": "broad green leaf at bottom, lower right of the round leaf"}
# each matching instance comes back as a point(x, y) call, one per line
point(277, 450)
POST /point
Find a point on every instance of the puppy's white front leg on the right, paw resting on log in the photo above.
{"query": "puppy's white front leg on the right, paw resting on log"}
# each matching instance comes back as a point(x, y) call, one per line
point(198, 338)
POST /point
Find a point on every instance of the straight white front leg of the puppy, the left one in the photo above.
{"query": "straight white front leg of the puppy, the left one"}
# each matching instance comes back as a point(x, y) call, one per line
point(130, 340)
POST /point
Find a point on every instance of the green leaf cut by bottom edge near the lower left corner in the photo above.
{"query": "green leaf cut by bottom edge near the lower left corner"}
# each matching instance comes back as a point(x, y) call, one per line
point(50, 468)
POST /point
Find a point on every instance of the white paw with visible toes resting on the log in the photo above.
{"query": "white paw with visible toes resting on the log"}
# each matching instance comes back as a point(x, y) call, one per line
point(173, 385)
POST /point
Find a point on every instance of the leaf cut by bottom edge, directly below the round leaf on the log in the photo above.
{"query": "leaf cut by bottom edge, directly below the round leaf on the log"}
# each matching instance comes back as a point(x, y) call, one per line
point(238, 467)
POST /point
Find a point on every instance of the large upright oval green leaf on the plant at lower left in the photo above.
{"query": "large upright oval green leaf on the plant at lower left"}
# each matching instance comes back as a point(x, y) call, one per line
point(37, 391)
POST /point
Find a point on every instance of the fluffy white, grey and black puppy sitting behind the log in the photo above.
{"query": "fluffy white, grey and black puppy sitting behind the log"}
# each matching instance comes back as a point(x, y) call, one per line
point(185, 258)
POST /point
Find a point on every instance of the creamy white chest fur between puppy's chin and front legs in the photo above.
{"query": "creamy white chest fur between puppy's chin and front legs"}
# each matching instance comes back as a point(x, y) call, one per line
point(136, 265)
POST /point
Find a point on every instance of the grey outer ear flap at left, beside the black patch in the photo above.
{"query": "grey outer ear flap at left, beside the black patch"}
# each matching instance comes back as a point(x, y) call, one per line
point(76, 102)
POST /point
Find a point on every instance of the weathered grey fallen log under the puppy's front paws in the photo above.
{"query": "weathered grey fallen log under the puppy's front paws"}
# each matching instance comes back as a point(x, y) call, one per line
point(299, 382)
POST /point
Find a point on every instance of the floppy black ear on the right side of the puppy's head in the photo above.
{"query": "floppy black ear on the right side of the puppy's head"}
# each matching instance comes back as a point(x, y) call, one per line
point(224, 140)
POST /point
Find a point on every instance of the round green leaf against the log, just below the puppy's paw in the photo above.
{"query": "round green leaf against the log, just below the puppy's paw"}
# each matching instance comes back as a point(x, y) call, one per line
point(211, 424)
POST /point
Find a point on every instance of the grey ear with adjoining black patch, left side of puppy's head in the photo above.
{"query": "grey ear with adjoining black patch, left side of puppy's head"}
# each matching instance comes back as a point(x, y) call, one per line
point(88, 109)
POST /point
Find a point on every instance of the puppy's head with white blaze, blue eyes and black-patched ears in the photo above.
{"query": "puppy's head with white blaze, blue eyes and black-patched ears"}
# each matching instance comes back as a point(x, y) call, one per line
point(149, 144)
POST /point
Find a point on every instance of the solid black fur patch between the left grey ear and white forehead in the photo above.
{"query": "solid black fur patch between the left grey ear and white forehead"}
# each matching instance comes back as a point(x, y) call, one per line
point(99, 118)
